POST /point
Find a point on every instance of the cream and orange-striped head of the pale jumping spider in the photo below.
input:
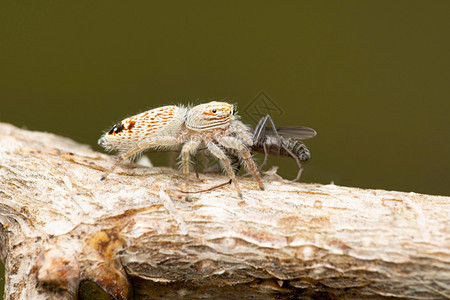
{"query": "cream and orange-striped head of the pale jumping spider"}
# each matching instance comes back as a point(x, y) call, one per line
point(210, 116)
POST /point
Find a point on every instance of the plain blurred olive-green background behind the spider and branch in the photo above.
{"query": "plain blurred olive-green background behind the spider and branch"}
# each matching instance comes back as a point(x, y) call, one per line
point(372, 77)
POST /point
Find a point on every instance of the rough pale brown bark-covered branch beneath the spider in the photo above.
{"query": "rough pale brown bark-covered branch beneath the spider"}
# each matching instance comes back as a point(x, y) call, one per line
point(136, 234)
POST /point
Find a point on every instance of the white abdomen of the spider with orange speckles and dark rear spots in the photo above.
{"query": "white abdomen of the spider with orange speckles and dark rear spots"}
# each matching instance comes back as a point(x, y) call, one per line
point(132, 131)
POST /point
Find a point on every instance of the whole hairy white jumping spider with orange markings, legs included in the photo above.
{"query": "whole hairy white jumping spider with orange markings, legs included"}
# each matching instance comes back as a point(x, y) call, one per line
point(213, 124)
